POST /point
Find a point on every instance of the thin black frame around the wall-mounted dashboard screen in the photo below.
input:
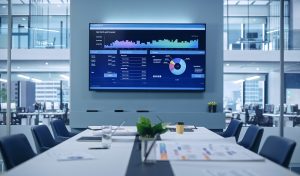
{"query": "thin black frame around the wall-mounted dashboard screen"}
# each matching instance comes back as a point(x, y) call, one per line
point(151, 89)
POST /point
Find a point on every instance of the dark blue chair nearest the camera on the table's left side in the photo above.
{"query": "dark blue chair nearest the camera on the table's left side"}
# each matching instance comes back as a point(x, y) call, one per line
point(15, 150)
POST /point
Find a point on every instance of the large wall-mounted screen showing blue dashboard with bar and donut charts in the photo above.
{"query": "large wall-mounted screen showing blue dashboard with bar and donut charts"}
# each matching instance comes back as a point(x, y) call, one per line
point(147, 56)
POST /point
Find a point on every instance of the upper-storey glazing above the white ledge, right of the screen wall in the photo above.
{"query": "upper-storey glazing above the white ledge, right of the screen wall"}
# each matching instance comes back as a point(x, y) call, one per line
point(254, 25)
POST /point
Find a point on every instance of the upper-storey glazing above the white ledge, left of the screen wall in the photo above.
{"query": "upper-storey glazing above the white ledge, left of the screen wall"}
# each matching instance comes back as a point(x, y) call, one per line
point(37, 23)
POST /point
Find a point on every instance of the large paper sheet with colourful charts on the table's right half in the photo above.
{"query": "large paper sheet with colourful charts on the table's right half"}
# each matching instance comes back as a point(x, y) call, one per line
point(167, 150)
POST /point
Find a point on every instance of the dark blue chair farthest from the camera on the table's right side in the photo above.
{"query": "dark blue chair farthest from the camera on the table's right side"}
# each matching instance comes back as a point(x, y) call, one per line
point(233, 129)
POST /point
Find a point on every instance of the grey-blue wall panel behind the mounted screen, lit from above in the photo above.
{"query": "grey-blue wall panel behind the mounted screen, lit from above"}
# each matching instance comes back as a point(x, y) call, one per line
point(189, 107)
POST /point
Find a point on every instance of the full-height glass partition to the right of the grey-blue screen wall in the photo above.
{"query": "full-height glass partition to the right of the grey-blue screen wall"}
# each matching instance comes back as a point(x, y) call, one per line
point(252, 29)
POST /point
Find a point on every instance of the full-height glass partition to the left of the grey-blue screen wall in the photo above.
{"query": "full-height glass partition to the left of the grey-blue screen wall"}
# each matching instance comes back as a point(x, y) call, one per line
point(36, 82)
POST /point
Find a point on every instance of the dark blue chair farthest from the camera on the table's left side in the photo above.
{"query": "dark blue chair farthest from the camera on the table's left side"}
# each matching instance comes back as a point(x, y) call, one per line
point(60, 130)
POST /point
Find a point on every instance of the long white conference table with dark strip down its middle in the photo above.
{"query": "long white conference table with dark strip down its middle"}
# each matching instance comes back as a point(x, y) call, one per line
point(122, 159)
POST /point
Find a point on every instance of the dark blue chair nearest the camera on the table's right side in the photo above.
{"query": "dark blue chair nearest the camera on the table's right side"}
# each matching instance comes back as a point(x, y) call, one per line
point(278, 149)
